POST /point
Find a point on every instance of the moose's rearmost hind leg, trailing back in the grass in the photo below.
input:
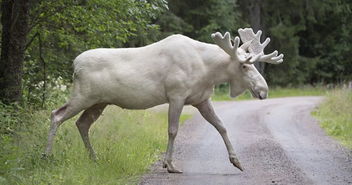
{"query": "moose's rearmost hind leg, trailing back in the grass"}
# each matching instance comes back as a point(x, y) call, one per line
point(58, 116)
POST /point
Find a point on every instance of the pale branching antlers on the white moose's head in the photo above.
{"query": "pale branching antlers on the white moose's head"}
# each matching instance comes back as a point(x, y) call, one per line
point(250, 51)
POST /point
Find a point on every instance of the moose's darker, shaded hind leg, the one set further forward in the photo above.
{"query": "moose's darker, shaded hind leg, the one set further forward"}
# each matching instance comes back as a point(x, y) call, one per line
point(85, 121)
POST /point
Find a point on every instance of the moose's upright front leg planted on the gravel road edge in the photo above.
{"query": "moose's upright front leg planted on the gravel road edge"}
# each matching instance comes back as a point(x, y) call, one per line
point(175, 109)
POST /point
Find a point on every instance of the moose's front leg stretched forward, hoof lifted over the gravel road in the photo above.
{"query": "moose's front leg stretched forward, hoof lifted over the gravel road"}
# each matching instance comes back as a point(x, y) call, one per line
point(207, 111)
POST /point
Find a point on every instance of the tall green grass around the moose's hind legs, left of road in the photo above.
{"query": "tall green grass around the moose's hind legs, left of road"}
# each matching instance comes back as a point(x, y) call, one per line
point(126, 142)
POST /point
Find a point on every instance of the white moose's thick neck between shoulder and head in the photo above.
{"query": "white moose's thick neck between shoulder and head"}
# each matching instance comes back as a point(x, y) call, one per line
point(221, 68)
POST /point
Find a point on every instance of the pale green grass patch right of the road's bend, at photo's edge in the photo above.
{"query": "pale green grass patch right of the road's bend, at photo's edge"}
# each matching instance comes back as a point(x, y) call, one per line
point(335, 115)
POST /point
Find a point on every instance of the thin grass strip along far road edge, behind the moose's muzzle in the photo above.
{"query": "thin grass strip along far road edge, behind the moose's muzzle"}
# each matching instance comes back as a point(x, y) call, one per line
point(276, 92)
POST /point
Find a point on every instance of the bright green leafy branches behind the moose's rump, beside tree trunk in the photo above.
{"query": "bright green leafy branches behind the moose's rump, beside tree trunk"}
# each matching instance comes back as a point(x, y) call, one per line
point(62, 29)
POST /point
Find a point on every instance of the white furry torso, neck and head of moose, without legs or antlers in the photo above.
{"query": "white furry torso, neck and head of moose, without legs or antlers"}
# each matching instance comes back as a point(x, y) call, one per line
point(138, 78)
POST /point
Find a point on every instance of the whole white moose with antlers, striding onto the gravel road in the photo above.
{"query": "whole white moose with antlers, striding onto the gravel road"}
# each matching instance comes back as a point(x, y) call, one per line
point(176, 70)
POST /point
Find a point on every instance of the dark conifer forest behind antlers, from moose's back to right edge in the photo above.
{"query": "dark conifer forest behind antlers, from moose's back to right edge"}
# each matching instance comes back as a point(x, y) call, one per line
point(315, 36)
